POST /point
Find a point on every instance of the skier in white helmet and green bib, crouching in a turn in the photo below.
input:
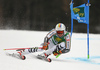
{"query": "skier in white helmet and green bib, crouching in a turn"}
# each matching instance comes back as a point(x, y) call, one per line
point(56, 42)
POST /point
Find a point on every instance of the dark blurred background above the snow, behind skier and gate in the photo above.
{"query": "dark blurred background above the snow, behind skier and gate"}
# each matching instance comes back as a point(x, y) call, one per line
point(43, 15)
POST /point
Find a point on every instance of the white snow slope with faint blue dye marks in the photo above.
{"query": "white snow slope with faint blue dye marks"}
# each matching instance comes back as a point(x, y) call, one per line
point(76, 59)
